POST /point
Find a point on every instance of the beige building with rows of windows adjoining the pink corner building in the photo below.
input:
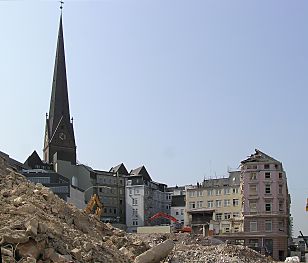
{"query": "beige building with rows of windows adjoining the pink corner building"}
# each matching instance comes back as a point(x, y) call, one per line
point(215, 205)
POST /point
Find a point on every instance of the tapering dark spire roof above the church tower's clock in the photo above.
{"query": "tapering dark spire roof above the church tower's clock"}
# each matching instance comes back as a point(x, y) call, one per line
point(59, 105)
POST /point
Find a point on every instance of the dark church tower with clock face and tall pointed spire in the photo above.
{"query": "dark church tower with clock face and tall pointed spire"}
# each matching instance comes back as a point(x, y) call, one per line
point(59, 131)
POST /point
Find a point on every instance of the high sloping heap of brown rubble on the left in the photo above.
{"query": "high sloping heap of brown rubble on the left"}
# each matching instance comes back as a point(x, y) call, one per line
point(38, 226)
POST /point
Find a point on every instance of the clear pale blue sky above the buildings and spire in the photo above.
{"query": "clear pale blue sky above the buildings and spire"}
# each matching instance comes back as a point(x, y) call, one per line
point(186, 88)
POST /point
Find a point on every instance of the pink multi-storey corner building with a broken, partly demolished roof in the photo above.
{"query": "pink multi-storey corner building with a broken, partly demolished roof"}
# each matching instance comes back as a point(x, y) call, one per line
point(266, 205)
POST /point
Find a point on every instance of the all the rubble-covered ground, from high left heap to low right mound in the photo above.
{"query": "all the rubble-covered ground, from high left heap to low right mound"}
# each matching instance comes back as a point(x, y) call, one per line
point(37, 226)
